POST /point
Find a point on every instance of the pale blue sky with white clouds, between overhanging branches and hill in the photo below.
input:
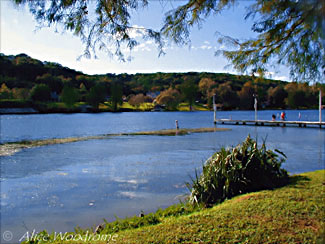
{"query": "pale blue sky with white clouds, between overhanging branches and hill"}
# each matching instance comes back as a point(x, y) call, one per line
point(19, 34)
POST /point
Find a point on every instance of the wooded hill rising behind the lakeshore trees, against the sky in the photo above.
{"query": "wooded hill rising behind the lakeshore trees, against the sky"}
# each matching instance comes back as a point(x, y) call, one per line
point(21, 71)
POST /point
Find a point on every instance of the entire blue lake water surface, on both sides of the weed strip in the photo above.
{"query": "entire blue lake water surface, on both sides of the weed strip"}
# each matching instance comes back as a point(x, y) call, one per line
point(59, 187)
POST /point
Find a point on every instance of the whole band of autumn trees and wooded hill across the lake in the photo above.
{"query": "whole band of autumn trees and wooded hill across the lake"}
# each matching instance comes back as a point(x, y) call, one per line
point(27, 79)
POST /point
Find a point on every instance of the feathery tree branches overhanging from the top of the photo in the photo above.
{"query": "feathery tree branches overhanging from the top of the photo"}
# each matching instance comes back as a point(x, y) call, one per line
point(290, 32)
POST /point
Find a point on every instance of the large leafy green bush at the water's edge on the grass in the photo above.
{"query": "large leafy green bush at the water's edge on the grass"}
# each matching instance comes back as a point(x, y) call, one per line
point(230, 172)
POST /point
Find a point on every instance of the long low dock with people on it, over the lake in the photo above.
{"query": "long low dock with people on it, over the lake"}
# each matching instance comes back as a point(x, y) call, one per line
point(302, 124)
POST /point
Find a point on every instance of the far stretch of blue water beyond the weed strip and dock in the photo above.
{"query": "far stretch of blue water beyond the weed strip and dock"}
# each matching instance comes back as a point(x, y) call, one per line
point(40, 126)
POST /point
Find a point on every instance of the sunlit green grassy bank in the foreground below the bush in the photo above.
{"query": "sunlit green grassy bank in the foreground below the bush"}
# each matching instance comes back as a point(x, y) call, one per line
point(291, 214)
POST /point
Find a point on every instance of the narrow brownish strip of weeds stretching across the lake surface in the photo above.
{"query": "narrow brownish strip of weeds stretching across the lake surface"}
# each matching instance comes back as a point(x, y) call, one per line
point(13, 147)
